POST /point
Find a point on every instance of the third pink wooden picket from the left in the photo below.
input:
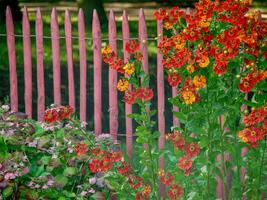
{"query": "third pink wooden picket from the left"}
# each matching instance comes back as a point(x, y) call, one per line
point(40, 66)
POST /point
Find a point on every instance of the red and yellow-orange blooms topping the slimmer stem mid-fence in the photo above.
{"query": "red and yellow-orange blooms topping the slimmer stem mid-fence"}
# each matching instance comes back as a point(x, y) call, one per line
point(130, 71)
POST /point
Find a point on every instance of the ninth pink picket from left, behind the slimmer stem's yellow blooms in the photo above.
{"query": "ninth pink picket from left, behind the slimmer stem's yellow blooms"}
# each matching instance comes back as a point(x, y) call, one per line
point(128, 107)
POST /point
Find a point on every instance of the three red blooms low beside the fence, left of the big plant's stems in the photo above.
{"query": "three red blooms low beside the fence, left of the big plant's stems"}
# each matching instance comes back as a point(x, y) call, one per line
point(191, 150)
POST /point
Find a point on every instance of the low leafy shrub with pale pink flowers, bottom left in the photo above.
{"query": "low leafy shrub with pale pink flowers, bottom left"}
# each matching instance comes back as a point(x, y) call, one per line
point(57, 159)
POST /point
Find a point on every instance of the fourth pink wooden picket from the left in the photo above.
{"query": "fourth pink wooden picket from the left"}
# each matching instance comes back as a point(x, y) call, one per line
point(56, 57)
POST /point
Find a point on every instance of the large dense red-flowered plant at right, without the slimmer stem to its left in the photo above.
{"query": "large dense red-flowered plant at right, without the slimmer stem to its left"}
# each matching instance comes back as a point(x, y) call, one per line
point(215, 57)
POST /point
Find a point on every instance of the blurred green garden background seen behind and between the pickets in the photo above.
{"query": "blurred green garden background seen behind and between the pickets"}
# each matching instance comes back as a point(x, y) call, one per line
point(102, 6)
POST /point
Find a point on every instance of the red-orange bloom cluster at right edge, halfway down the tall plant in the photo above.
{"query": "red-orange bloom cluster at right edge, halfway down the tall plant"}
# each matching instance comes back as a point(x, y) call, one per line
point(255, 126)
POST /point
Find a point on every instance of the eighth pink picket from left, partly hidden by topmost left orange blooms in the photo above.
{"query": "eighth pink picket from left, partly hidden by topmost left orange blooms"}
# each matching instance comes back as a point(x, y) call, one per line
point(113, 97)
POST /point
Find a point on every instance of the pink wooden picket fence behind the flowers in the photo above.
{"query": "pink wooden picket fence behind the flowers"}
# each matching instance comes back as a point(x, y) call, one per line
point(97, 64)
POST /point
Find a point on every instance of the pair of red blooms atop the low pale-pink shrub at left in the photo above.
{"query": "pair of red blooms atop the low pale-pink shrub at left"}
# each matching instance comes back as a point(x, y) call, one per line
point(59, 113)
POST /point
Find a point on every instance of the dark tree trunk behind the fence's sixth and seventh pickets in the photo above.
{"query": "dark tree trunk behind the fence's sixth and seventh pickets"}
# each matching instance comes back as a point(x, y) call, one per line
point(88, 7)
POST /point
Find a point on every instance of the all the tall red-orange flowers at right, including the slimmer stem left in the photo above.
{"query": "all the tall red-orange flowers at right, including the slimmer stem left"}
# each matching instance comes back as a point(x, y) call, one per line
point(215, 56)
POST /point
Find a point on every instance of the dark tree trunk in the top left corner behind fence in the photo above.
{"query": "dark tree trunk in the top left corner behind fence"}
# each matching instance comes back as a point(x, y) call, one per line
point(15, 9)
